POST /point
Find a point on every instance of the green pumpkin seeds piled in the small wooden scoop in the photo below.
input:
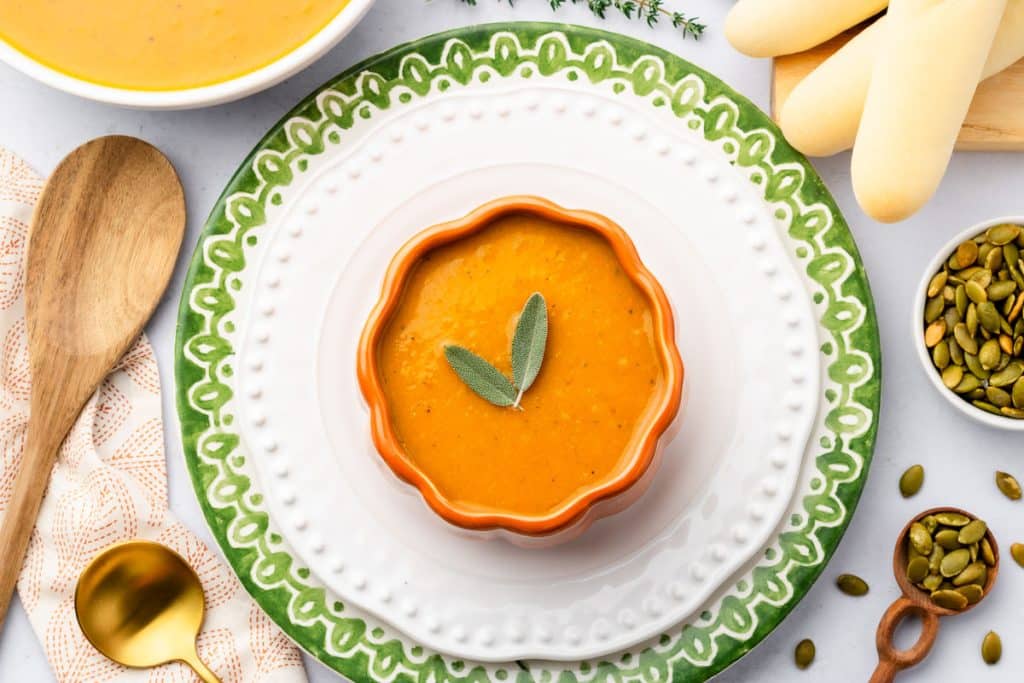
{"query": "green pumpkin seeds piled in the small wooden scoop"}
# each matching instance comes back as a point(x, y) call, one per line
point(949, 557)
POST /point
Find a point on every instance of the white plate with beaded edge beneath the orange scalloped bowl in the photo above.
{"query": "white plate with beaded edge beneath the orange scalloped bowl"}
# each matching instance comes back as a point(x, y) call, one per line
point(747, 334)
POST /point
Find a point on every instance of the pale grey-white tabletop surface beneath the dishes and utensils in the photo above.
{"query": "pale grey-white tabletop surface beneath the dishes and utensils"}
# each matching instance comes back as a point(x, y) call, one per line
point(917, 425)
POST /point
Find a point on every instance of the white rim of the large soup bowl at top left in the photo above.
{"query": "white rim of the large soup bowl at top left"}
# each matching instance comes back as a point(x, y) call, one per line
point(206, 96)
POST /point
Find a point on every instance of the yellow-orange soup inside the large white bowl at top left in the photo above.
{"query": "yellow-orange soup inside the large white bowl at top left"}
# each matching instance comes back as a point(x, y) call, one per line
point(161, 45)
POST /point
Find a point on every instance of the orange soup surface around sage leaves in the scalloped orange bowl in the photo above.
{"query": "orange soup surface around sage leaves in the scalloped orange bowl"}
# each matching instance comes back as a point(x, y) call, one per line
point(599, 390)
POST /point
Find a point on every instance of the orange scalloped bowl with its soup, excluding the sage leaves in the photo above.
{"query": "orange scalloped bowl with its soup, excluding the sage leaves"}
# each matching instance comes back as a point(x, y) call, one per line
point(611, 386)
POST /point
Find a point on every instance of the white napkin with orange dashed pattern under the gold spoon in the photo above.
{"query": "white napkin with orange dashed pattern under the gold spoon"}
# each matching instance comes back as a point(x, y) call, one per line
point(110, 485)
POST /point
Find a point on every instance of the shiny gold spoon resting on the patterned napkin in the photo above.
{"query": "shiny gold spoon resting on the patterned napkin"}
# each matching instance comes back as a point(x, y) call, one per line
point(141, 605)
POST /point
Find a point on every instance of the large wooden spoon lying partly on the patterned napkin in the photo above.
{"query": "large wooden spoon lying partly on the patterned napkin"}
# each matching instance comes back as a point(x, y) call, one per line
point(105, 238)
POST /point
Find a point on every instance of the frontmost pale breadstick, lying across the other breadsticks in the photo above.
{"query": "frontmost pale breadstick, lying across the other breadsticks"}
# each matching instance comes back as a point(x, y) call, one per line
point(922, 86)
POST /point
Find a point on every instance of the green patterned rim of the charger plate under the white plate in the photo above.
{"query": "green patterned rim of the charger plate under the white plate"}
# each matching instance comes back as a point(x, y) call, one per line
point(756, 600)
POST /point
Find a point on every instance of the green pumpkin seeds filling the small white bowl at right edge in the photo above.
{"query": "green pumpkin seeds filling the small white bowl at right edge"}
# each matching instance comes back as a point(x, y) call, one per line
point(973, 323)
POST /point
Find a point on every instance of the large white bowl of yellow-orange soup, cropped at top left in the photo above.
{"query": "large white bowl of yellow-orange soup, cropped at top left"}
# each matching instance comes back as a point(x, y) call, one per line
point(170, 54)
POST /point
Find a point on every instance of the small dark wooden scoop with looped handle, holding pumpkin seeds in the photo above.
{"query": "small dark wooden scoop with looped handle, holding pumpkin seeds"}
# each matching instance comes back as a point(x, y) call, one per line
point(918, 602)
